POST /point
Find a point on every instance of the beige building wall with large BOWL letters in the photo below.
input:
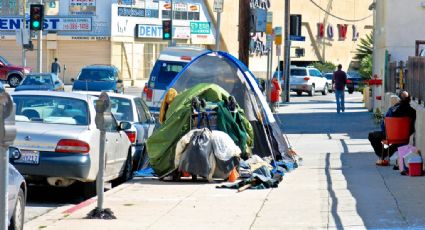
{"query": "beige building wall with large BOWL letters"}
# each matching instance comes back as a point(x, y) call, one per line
point(332, 30)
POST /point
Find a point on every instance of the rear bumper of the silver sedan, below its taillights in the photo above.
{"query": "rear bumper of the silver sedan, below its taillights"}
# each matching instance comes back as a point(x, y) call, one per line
point(52, 164)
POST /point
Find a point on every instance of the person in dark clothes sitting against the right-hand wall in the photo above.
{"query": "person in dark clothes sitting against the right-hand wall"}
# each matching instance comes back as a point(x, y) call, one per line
point(400, 109)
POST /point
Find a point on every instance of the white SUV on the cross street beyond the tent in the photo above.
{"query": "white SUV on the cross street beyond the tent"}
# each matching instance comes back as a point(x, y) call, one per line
point(308, 79)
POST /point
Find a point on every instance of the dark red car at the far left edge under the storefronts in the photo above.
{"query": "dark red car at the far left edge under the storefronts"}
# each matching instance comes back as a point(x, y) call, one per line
point(13, 74)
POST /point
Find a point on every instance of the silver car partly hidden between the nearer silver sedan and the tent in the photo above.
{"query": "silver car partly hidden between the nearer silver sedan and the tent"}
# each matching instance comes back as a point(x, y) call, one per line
point(134, 110)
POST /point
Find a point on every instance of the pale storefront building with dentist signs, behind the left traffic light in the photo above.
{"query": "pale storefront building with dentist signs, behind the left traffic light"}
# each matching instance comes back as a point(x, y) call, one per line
point(127, 34)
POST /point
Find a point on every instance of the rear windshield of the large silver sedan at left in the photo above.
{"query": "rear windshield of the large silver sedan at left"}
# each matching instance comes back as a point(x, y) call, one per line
point(51, 109)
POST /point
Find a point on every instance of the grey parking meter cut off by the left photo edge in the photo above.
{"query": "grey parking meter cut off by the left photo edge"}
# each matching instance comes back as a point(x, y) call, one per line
point(7, 136)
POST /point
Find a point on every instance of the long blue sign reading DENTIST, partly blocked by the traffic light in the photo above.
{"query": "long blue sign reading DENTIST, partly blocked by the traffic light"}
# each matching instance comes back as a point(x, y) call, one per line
point(50, 23)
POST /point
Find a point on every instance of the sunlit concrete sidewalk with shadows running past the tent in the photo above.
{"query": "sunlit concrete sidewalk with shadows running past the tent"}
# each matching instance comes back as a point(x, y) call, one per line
point(337, 187)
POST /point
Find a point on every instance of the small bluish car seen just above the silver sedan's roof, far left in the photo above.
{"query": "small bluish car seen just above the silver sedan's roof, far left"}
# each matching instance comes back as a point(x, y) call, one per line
point(41, 81)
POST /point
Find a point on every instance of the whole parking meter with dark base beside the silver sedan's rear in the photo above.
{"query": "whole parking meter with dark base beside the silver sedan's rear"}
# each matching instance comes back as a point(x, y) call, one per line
point(103, 120)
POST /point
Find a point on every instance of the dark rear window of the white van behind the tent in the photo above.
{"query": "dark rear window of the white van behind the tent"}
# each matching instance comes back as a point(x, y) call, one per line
point(164, 72)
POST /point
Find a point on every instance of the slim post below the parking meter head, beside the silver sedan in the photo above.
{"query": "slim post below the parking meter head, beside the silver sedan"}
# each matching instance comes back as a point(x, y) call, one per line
point(99, 181)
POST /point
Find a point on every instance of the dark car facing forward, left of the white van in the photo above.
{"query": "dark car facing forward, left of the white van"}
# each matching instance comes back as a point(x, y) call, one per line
point(99, 78)
